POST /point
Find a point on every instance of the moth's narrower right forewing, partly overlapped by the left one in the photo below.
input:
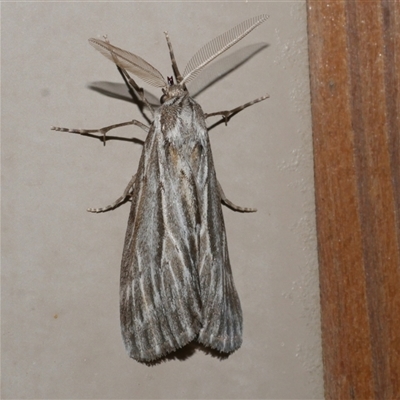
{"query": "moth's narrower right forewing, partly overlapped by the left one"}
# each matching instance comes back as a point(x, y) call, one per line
point(221, 310)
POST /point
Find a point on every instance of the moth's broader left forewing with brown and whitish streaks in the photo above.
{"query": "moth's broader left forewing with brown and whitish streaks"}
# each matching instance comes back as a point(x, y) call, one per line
point(160, 301)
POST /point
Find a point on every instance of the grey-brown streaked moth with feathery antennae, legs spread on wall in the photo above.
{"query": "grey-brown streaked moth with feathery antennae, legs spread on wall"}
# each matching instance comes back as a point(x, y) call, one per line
point(176, 282)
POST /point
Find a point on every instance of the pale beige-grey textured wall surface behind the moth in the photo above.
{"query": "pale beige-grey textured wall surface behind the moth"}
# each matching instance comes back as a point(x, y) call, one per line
point(60, 264)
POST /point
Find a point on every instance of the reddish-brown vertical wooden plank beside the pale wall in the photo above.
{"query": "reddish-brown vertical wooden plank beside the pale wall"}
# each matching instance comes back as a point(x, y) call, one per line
point(354, 70)
